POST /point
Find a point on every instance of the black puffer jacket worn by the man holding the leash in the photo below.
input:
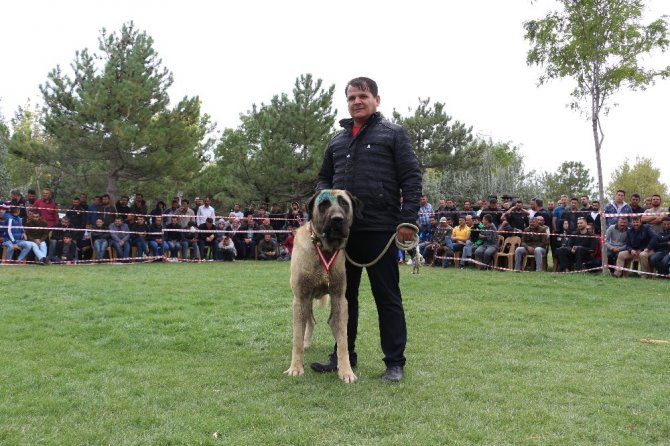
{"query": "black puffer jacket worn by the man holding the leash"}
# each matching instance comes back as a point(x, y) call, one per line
point(376, 166)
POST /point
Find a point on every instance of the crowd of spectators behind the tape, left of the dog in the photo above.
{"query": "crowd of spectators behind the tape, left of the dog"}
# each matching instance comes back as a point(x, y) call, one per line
point(43, 231)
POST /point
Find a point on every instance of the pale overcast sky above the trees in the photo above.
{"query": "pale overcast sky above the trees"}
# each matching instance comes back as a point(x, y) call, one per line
point(470, 55)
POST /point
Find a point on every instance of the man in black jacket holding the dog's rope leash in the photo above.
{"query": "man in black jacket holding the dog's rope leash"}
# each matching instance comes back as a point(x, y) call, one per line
point(373, 159)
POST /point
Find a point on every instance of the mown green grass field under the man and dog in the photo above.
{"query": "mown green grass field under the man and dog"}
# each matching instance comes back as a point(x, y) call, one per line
point(188, 354)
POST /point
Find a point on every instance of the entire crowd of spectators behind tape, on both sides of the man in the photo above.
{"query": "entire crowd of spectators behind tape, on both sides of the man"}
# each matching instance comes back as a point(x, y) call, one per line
point(568, 231)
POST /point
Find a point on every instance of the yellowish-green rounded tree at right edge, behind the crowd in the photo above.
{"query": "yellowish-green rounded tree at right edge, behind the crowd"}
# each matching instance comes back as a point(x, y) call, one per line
point(641, 177)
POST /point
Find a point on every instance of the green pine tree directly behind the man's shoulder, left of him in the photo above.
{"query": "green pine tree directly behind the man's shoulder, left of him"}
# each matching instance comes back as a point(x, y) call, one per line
point(278, 149)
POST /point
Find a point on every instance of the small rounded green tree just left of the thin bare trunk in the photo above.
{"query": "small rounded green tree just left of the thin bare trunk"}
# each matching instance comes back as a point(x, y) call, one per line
point(572, 179)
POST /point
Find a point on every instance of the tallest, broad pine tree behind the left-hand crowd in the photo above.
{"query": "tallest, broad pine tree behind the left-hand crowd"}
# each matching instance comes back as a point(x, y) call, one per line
point(112, 116)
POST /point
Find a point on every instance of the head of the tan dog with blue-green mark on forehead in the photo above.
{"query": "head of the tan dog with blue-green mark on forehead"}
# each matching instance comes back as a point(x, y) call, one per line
point(331, 212)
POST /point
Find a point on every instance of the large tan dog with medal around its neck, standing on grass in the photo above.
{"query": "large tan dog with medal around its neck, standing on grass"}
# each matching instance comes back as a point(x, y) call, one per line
point(317, 270)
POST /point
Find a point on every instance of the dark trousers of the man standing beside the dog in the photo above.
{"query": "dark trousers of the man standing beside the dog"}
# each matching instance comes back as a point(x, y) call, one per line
point(384, 282)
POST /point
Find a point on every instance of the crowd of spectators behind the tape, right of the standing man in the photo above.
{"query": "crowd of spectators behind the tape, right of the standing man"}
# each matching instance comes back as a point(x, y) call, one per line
point(568, 231)
